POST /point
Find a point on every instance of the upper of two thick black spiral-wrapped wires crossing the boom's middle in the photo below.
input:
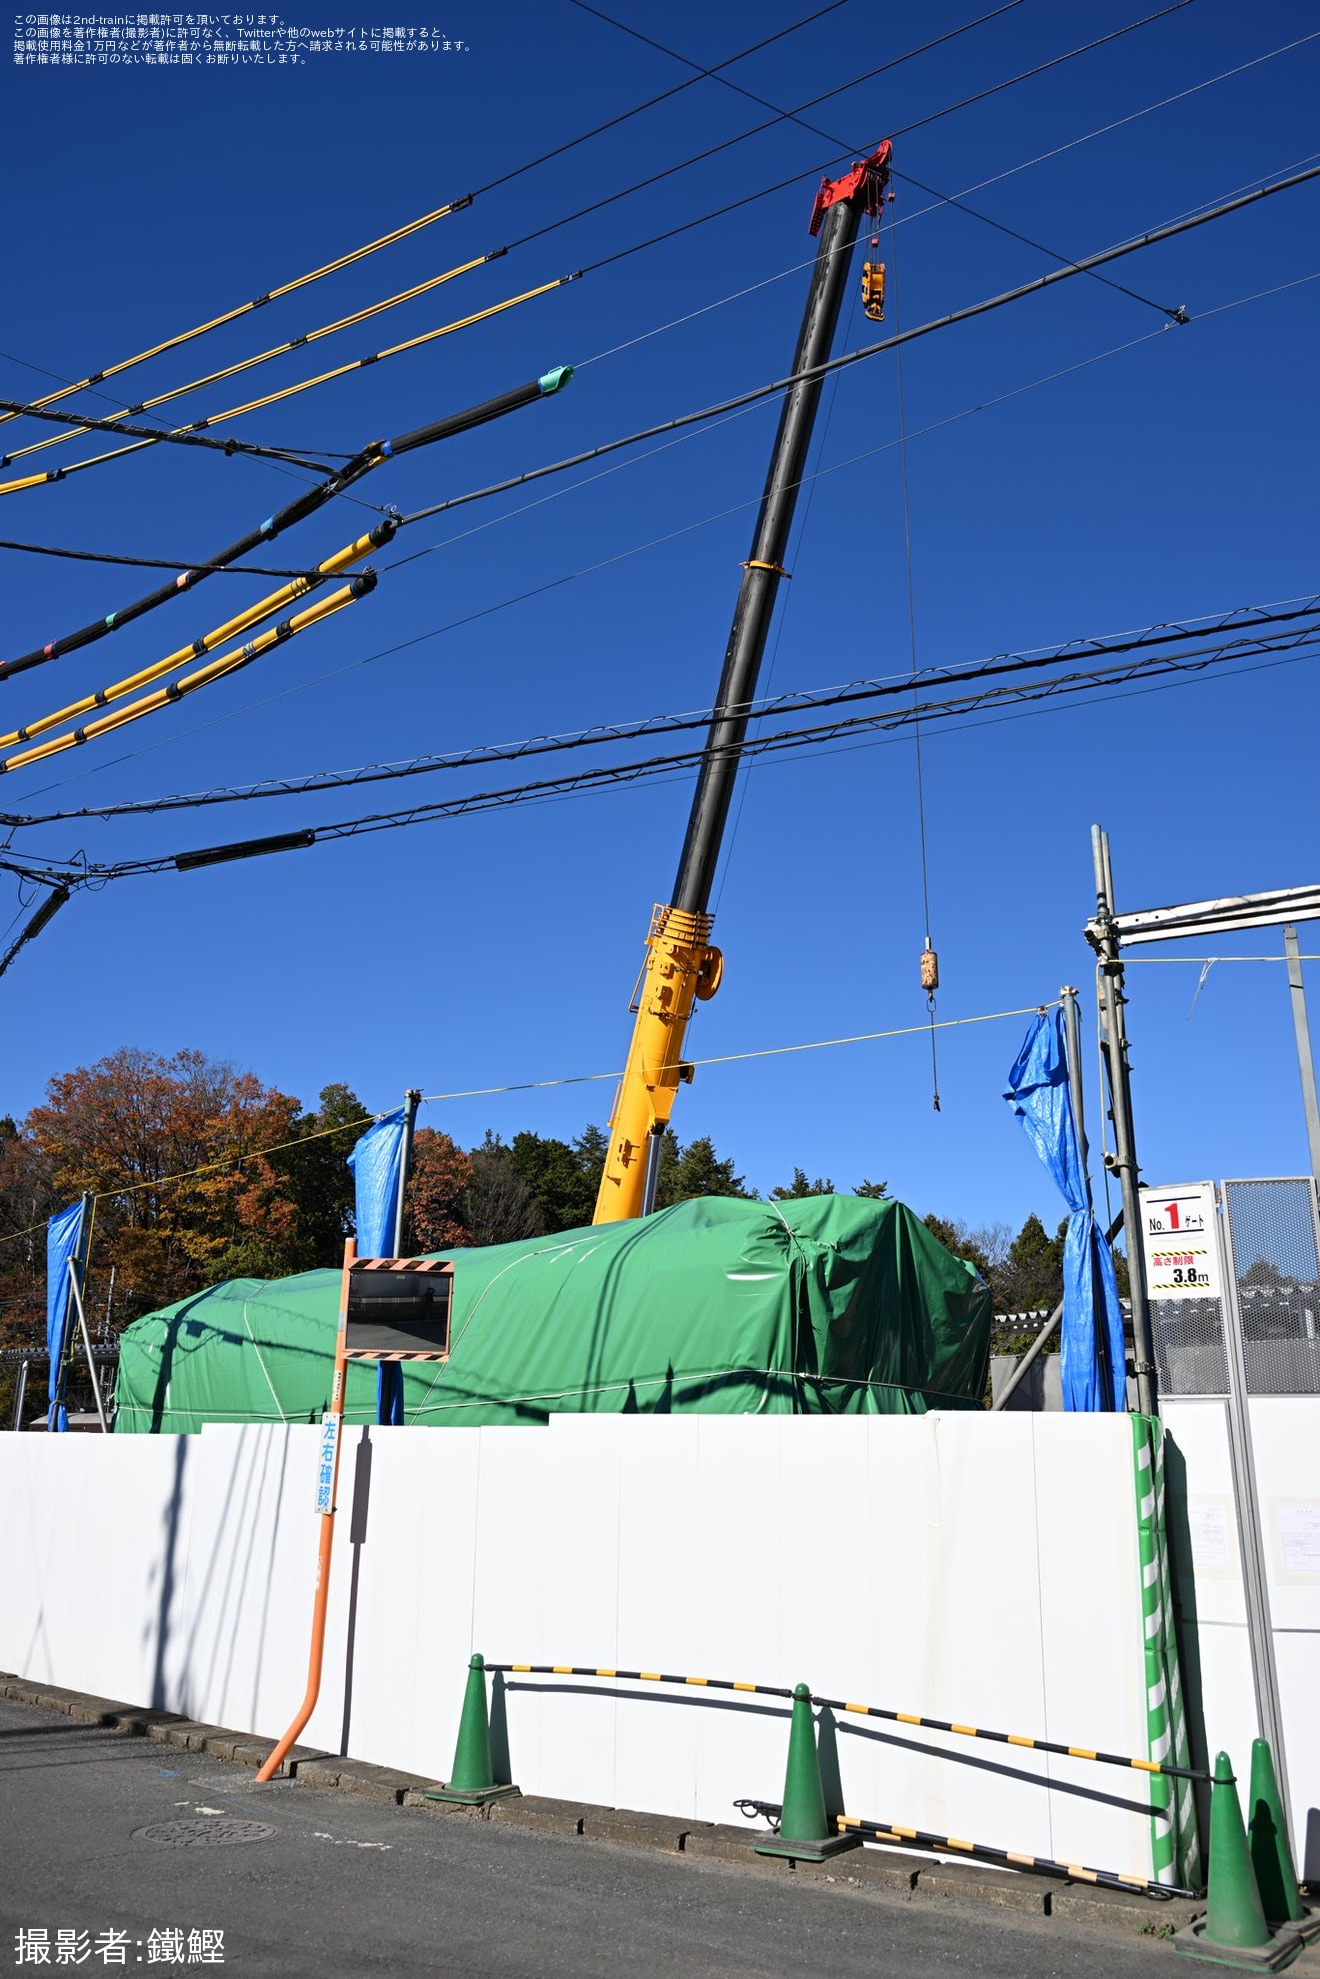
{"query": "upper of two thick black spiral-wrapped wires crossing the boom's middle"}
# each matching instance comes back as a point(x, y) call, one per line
point(1246, 632)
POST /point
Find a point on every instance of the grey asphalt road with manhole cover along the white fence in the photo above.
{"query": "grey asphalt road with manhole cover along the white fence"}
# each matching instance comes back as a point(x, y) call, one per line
point(347, 1887)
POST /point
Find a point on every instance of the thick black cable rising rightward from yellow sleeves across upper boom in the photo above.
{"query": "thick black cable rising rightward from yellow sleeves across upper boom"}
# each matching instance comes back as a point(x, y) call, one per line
point(870, 351)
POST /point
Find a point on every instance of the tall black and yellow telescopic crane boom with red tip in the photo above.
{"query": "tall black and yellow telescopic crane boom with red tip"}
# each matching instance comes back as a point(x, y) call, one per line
point(682, 965)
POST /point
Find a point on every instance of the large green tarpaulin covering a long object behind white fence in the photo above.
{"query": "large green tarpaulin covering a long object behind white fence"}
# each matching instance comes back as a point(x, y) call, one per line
point(822, 1305)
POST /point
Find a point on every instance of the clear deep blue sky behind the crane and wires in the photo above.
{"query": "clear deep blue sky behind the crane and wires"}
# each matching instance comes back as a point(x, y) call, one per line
point(1175, 478)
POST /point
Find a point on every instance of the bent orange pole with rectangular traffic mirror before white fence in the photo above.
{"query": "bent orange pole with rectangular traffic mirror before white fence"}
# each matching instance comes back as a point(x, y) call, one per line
point(391, 1309)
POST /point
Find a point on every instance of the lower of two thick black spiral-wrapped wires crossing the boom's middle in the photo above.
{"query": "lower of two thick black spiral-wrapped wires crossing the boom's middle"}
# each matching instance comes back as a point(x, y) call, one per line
point(583, 783)
